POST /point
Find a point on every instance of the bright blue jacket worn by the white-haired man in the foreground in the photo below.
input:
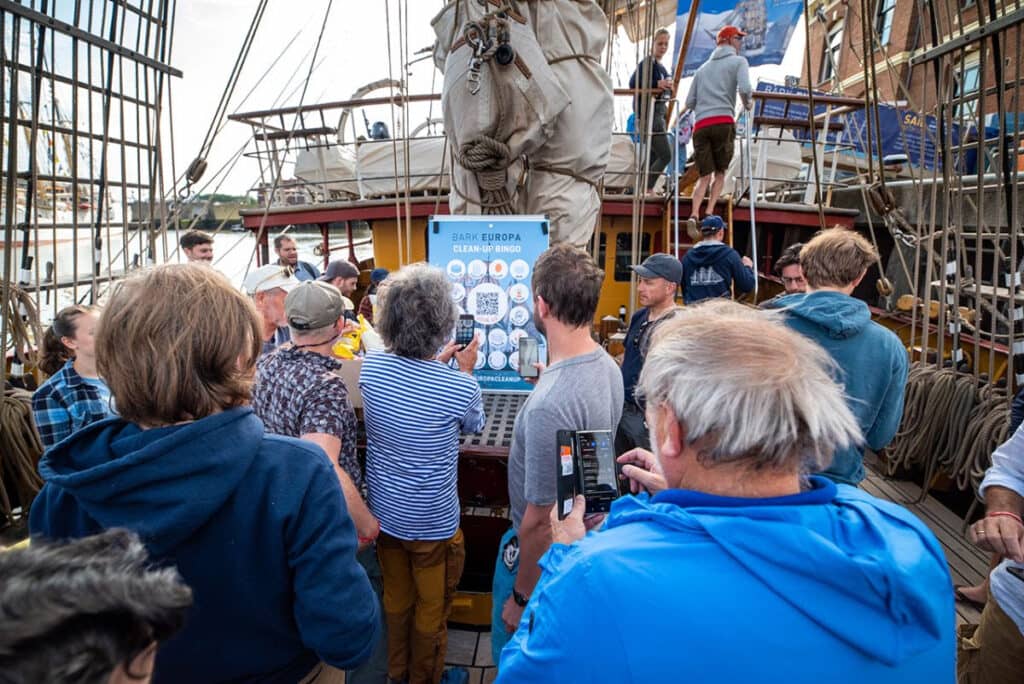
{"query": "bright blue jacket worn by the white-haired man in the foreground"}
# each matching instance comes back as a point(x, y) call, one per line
point(831, 585)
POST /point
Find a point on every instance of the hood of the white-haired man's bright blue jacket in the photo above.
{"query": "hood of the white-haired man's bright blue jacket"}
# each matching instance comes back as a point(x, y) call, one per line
point(849, 563)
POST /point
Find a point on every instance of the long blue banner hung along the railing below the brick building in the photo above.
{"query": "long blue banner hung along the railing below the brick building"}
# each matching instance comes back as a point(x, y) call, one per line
point(903, 132)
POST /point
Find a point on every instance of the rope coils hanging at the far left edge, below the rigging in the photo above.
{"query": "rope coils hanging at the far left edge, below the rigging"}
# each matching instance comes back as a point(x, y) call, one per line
point(20, 452)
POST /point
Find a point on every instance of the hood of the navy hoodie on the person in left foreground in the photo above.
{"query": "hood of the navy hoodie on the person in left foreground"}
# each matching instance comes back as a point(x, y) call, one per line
point(125, 477)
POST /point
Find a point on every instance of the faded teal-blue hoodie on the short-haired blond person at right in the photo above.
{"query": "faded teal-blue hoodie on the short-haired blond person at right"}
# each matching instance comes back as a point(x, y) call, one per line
point(873, 367)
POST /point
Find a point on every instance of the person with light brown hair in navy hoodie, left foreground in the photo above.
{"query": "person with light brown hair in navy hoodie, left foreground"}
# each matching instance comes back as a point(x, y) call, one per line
point(255, 524)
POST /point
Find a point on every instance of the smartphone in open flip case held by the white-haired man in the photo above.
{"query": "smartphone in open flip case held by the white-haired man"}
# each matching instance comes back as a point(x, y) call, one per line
point(587, 465)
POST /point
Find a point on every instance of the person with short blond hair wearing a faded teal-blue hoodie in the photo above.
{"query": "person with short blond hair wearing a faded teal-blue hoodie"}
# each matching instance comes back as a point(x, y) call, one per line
point(872, 362)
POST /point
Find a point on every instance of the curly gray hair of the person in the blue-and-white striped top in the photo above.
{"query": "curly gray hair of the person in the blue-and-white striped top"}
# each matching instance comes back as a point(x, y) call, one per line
point(416, 313)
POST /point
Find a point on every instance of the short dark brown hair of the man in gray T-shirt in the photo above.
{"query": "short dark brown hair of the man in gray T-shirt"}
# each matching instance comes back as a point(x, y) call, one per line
point(570, 282)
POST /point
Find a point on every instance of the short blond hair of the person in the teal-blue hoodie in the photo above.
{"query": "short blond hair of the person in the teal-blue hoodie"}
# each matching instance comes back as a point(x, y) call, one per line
point(836, 259)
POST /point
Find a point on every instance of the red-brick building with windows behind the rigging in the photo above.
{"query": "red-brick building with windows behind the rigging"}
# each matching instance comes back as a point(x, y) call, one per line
point(904, 50)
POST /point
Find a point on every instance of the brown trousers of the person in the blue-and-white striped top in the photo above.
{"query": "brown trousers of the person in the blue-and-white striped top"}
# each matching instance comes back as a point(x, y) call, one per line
point(420, 579)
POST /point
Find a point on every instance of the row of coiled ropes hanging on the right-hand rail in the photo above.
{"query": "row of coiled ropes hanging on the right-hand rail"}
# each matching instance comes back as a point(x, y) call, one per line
point(951, 425)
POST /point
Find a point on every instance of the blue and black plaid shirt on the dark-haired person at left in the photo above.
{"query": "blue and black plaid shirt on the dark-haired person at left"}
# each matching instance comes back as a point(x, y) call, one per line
point(67, 403)
